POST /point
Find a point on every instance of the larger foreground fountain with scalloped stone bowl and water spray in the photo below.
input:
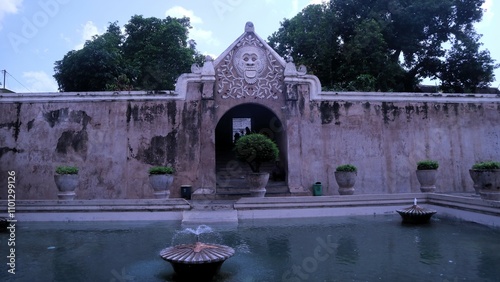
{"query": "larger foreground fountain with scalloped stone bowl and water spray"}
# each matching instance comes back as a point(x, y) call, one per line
point(198, 260)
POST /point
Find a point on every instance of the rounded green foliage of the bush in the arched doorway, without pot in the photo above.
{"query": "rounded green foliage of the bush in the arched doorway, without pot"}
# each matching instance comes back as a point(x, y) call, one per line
point(255, 149)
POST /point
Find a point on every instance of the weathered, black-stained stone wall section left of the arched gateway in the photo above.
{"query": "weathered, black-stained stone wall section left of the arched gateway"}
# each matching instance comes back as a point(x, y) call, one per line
point(113, 142)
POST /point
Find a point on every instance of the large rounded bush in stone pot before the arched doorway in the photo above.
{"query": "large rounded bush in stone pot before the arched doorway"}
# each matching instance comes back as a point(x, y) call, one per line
point(255, 149)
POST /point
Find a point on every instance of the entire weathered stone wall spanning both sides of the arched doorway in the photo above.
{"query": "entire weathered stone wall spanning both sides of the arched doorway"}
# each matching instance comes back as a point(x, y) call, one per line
point(115, 140)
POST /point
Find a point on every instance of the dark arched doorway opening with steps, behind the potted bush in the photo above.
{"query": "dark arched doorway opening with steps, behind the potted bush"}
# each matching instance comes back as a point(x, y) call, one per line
point(230, 172)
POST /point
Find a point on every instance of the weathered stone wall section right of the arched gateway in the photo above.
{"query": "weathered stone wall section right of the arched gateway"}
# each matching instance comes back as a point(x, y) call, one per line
point(385, 140)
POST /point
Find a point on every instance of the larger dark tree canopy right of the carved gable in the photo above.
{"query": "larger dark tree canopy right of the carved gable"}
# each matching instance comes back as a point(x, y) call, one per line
point(388, 45)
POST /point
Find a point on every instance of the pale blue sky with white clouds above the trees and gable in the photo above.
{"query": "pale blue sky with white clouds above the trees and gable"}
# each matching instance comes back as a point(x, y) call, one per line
point(36, 33)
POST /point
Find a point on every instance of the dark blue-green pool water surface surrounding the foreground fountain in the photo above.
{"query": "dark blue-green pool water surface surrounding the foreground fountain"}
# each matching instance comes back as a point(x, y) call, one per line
point(361, 248)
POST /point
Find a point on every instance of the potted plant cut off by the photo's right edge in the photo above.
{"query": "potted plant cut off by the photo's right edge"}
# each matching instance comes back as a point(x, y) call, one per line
point(486, 177)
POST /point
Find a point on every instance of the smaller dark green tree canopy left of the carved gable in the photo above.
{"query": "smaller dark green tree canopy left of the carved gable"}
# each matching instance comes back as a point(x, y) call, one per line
point(150, 55)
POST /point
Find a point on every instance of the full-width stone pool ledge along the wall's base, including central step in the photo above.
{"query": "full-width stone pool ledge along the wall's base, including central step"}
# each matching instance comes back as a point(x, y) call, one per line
point(463, 207)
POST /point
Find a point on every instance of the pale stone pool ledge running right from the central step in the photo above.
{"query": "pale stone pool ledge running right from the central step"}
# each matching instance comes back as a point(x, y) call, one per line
point(457, 206)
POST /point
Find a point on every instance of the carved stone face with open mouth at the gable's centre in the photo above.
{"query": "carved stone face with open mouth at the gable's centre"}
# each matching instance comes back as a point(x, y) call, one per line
point(249, 62)
